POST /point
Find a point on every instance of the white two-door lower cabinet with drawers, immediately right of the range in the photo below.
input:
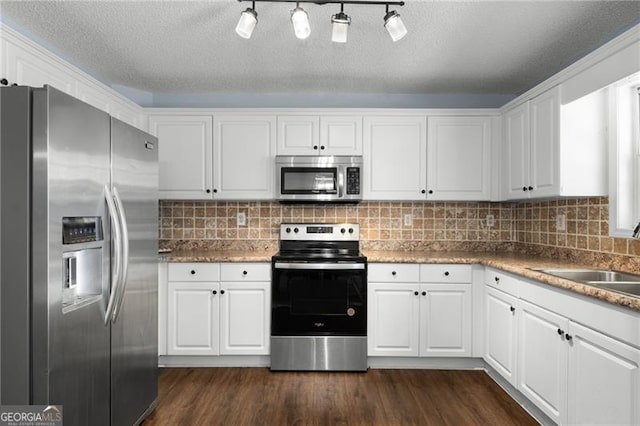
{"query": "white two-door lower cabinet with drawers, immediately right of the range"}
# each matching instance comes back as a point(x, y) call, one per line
point(419, 310)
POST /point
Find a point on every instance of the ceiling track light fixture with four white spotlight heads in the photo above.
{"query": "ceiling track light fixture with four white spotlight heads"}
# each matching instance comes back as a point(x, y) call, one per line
point(340, 21)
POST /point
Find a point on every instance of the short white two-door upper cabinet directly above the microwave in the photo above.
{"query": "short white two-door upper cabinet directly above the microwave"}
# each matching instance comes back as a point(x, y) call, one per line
point(319, 135)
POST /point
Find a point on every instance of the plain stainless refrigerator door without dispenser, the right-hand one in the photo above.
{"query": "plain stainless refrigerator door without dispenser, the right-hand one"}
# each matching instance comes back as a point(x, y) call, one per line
point(134, 332)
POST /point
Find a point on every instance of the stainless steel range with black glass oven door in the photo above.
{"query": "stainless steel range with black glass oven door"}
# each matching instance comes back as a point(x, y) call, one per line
point(319, 299)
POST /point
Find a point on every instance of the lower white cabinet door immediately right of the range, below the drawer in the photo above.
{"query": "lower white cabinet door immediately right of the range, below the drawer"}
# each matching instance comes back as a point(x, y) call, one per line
point(392, 319)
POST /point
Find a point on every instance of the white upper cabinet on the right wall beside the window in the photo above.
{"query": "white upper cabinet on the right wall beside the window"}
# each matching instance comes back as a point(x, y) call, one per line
point(556, 150)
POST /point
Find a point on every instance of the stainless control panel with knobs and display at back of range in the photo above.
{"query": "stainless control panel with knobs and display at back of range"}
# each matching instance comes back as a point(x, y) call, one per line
point(320, 231)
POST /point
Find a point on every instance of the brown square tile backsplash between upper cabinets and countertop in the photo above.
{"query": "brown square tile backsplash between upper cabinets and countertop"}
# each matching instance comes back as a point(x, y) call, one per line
point(526, 226)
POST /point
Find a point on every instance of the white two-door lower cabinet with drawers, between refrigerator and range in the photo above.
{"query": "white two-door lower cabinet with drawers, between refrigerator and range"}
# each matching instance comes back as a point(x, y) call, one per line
point(207, 315)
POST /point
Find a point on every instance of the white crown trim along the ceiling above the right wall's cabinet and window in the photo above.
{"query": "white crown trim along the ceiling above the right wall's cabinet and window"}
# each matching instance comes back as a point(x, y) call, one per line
point(623, 41)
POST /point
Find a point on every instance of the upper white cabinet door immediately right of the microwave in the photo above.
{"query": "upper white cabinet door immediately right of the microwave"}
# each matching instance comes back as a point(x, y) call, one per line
point(395, 158)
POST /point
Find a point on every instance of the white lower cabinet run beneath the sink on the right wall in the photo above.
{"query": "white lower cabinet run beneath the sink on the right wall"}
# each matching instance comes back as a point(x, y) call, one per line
point(574, 373)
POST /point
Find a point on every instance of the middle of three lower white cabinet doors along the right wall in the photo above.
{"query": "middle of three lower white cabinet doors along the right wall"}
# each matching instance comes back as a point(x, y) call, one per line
point(542, 360)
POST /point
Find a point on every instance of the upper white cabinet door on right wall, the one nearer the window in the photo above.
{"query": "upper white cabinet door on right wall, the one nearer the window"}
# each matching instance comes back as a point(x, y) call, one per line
point(545, 143)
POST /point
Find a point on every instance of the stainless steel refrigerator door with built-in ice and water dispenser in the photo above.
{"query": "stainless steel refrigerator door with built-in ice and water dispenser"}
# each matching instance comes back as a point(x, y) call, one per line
point(70, 343)
